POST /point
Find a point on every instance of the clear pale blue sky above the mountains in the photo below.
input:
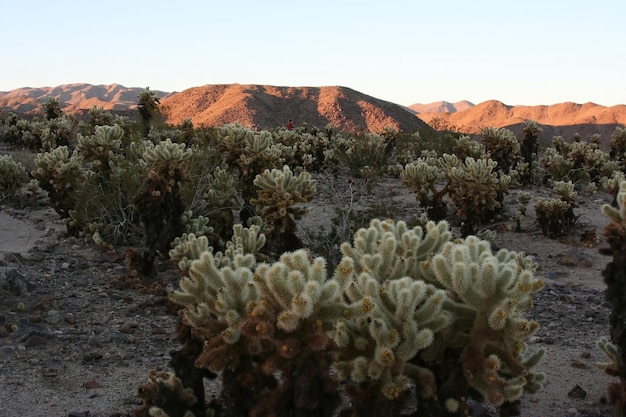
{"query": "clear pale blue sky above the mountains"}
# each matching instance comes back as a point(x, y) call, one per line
point(519, 52)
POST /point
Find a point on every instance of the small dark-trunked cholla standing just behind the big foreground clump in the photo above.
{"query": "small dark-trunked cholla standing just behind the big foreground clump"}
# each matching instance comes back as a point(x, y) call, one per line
point(278, 193)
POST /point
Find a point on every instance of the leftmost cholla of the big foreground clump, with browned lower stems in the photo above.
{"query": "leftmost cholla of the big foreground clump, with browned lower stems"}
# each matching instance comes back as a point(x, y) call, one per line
point(257, 323)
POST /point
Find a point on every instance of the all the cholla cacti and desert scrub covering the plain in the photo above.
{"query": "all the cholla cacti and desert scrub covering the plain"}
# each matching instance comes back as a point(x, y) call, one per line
point(376, 316)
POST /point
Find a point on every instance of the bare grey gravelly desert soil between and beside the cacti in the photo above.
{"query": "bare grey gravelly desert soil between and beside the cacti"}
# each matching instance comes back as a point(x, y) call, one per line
point(73, 345)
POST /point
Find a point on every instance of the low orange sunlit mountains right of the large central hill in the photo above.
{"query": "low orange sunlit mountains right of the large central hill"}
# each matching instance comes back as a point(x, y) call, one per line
point(564, 119)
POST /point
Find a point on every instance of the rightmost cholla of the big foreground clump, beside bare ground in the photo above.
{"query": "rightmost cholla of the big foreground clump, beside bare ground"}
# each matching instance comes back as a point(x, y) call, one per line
point(492, 292)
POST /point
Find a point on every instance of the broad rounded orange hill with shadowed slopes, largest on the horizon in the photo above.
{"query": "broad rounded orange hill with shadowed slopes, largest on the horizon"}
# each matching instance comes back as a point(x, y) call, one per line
point(264, 106)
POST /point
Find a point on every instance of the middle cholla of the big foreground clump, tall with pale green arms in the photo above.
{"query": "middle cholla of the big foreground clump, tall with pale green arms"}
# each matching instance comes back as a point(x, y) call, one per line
point(391, 316)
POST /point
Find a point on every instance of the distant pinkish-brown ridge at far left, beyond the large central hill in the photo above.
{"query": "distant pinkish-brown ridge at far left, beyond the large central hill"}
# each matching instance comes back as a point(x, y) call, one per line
point(73, 97)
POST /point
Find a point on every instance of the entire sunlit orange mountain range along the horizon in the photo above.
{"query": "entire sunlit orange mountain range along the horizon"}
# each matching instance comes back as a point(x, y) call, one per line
point(267, 106)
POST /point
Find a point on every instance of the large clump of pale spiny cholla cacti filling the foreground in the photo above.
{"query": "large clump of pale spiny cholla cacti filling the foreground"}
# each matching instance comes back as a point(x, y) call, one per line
point(401, 303)
